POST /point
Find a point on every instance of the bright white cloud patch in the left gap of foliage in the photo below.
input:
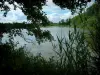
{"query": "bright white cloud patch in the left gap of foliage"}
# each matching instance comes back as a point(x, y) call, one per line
point(13, 16)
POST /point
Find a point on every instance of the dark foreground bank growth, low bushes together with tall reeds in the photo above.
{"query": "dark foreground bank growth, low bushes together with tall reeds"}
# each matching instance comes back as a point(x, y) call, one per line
point(74, 58)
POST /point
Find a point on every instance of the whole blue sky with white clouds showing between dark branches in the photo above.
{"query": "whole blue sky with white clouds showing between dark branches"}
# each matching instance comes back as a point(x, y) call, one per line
point(54, 13)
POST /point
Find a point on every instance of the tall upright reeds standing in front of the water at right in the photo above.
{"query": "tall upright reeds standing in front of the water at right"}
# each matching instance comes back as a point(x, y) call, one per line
point(74, 54)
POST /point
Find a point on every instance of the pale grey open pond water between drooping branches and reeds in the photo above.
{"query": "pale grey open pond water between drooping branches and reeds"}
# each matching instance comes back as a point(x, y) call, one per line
point(45, 48)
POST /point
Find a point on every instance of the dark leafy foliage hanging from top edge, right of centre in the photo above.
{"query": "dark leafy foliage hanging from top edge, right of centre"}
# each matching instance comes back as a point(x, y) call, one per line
point(72, 4)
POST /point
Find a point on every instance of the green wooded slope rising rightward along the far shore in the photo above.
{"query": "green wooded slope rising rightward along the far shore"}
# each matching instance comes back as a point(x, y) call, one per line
point(88, 18)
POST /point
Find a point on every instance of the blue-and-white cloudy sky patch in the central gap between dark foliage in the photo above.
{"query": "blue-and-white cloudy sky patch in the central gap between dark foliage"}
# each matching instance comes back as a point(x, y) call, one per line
point(55, 13)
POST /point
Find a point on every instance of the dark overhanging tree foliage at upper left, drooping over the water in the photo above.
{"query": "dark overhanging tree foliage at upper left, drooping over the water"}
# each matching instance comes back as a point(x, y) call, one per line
point(35, 15)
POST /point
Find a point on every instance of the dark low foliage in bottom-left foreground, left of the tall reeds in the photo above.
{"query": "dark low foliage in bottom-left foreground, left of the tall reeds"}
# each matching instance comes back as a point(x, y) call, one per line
point(18, 61)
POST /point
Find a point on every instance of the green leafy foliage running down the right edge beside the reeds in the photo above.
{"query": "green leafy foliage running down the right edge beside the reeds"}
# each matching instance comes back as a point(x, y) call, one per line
point(91, 21)
